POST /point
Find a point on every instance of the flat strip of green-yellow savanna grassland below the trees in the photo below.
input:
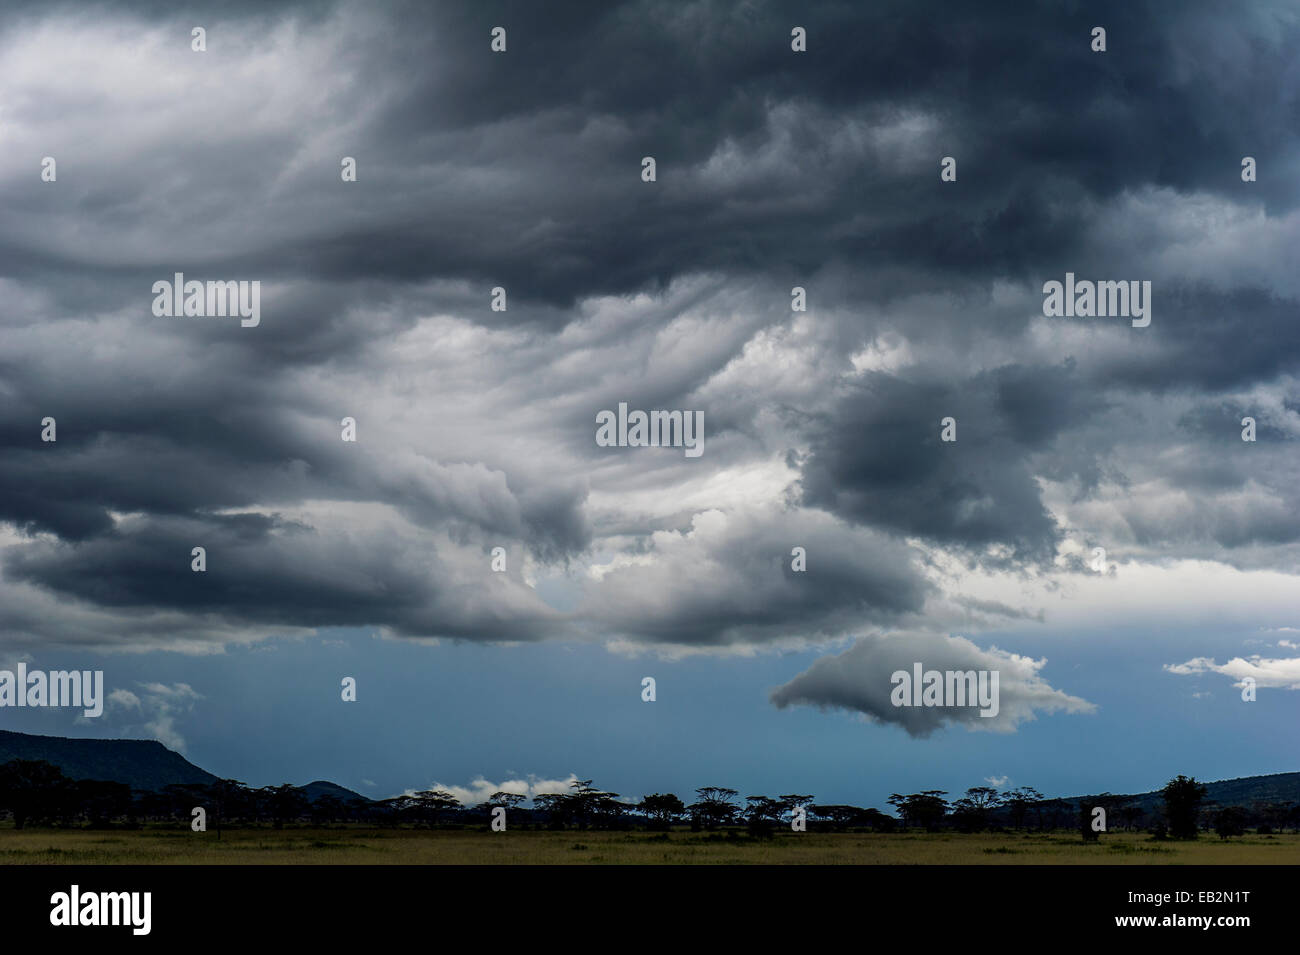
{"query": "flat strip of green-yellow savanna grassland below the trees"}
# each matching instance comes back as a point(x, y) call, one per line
point(366, 847)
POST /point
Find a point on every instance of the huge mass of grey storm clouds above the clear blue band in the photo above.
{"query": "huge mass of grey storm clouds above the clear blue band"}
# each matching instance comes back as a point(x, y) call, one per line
point(522, 171)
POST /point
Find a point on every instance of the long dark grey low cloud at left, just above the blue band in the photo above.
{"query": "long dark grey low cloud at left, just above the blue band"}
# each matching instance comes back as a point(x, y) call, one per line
point(265, 572)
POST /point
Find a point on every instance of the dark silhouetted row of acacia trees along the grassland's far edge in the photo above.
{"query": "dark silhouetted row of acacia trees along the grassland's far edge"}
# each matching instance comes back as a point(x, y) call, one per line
point(37, 793)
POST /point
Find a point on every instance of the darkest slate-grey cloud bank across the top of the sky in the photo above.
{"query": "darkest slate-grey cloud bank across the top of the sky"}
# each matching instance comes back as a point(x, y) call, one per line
point(526, 164)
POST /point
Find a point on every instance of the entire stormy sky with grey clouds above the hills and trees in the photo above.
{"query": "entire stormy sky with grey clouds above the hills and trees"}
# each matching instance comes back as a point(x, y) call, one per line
point(476, 428)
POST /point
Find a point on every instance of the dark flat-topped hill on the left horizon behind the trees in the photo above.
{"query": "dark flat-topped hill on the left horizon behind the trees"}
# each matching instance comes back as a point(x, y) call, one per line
point(144, 765)
